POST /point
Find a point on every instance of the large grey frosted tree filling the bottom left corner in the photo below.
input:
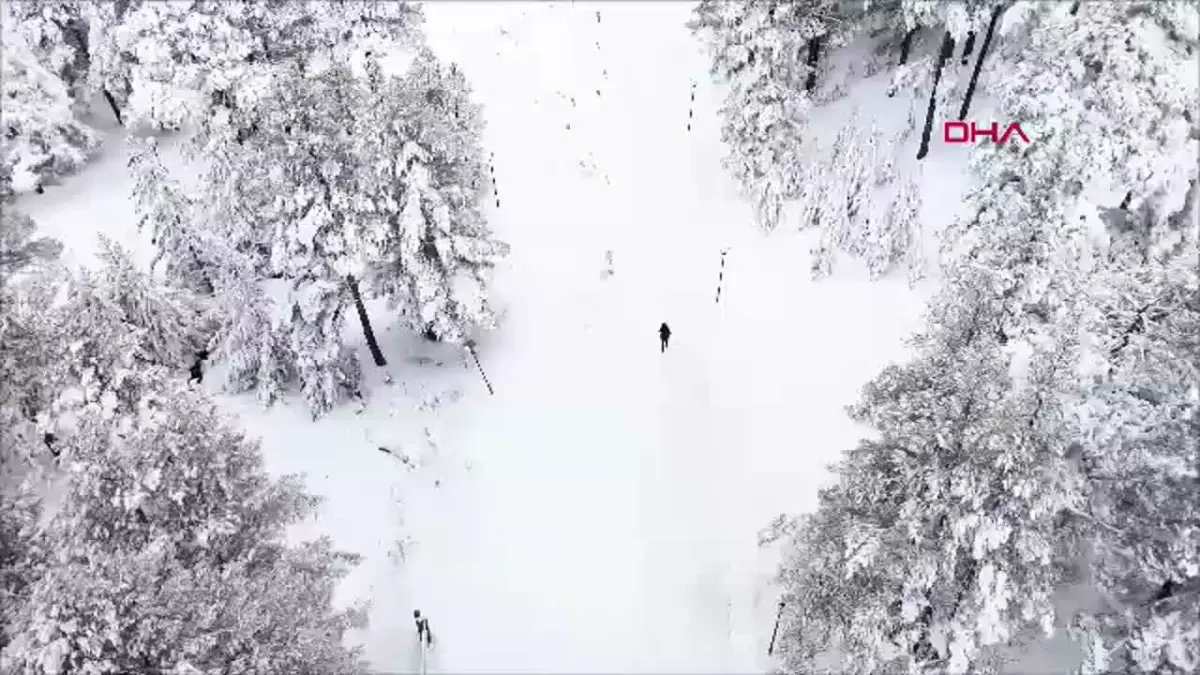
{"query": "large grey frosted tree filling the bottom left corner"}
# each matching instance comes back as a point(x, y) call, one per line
point(170, 548)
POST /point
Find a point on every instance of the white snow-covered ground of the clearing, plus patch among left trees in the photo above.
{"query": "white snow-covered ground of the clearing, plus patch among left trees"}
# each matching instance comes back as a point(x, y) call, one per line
point(601, 511)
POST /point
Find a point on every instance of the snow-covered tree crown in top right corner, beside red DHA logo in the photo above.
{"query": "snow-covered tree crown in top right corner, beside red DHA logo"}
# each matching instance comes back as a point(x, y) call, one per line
point(1136, 134)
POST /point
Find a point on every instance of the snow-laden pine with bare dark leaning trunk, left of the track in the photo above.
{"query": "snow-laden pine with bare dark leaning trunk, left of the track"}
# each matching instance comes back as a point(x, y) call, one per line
point(374, 190)
